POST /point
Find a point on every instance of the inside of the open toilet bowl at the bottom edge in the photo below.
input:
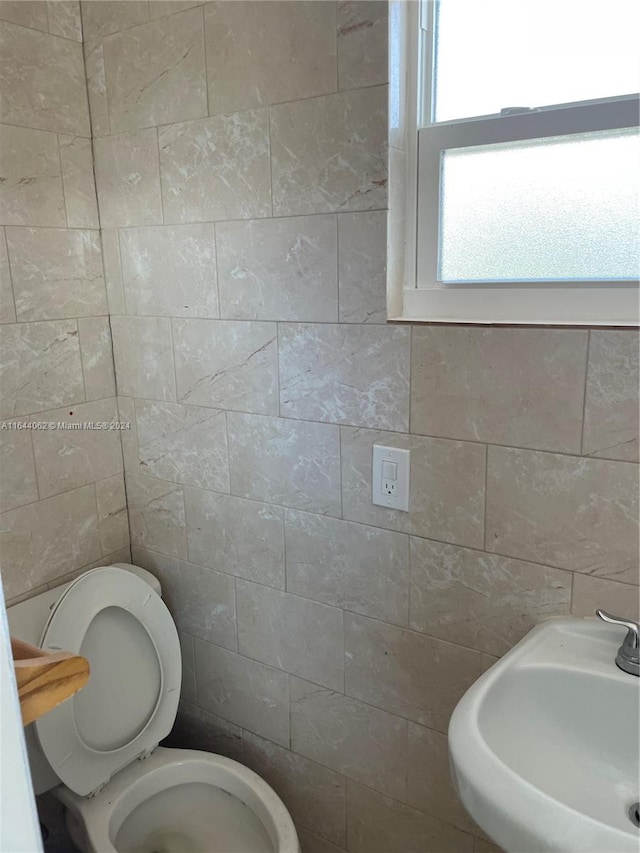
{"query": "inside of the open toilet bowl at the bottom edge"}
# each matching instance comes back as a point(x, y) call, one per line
point(193, 818)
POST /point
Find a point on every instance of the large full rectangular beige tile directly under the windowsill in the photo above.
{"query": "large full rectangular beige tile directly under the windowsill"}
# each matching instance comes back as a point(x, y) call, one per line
point(520, 387)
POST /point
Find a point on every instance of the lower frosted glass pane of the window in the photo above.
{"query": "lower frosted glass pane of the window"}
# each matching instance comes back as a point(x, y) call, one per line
point(565, 207)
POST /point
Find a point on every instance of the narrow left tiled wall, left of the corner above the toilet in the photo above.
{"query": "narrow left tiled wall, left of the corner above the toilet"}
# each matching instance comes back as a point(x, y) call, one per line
point(62, 498)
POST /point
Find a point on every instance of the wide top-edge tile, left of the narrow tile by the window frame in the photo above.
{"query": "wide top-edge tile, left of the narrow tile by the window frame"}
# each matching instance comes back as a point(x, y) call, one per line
point(266, 53)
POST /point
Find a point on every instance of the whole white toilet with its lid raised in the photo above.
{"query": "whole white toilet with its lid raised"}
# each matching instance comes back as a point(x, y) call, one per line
point(98, 752)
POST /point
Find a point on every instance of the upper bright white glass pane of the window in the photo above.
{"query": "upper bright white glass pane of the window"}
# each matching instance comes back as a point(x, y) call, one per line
point(506, 53)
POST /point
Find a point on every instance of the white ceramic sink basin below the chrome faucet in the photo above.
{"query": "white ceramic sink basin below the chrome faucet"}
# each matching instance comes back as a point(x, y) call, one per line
point(544, 746)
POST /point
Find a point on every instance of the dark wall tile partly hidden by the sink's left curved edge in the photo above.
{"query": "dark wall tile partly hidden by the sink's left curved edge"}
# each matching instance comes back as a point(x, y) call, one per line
point(429, 786)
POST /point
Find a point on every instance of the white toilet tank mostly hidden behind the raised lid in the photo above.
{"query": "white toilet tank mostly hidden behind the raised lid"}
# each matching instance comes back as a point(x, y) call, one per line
point(26, 622)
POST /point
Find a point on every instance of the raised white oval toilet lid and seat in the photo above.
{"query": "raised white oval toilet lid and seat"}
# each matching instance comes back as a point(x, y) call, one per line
point(115, 620)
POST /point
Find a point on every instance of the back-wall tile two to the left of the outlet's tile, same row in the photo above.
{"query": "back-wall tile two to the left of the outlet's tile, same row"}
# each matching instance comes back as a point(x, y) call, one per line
point(186, 444)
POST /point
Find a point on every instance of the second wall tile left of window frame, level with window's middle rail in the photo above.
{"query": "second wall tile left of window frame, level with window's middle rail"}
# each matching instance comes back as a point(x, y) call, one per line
point(216, 168)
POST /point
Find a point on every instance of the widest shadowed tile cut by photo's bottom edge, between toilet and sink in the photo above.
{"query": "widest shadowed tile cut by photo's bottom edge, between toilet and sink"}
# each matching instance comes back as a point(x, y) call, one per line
point(379, 825)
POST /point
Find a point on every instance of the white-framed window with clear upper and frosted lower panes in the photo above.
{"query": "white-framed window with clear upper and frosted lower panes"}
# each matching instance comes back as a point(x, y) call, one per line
point(521, 136)
